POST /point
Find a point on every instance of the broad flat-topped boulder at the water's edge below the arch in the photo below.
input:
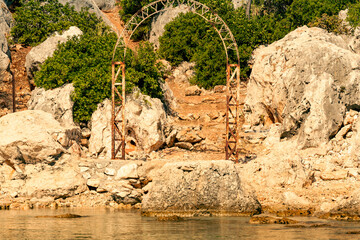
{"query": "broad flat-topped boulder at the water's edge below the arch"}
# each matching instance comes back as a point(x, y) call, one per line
point(198, 187)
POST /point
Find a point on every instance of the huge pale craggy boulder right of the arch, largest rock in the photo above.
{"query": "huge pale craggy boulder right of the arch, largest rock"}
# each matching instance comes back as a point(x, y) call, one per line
point(306, 81)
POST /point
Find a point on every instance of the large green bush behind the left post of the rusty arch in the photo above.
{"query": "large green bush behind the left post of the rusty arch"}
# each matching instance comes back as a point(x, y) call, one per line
point(87, 63)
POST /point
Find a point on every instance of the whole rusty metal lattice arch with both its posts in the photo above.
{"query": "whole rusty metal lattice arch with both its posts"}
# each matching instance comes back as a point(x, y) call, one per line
point(232, 77)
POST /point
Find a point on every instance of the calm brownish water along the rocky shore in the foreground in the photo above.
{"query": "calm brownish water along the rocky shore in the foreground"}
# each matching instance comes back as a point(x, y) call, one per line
point(110, 224)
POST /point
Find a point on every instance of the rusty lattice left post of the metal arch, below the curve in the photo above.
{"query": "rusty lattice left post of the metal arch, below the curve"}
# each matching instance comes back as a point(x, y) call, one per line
point(118, 111)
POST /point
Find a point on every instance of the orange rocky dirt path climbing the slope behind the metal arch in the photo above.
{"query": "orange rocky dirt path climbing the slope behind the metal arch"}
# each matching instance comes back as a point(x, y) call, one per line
point(205, 115)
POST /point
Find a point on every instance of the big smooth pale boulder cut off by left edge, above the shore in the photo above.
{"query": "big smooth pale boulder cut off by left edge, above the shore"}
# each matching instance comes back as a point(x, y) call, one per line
point(33, 136)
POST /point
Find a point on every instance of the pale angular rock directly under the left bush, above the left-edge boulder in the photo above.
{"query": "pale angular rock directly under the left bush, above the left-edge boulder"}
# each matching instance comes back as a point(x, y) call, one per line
point(56, 101)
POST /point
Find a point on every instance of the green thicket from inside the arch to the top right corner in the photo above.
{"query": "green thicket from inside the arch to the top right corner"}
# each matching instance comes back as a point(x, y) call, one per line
point(188, 38)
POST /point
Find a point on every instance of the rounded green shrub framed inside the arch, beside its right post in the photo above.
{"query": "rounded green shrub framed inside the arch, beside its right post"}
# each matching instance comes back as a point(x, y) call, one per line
point(190, 38)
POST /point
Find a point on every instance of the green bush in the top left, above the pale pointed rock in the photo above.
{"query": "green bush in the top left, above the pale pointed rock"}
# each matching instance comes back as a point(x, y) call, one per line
point(36, 20)
